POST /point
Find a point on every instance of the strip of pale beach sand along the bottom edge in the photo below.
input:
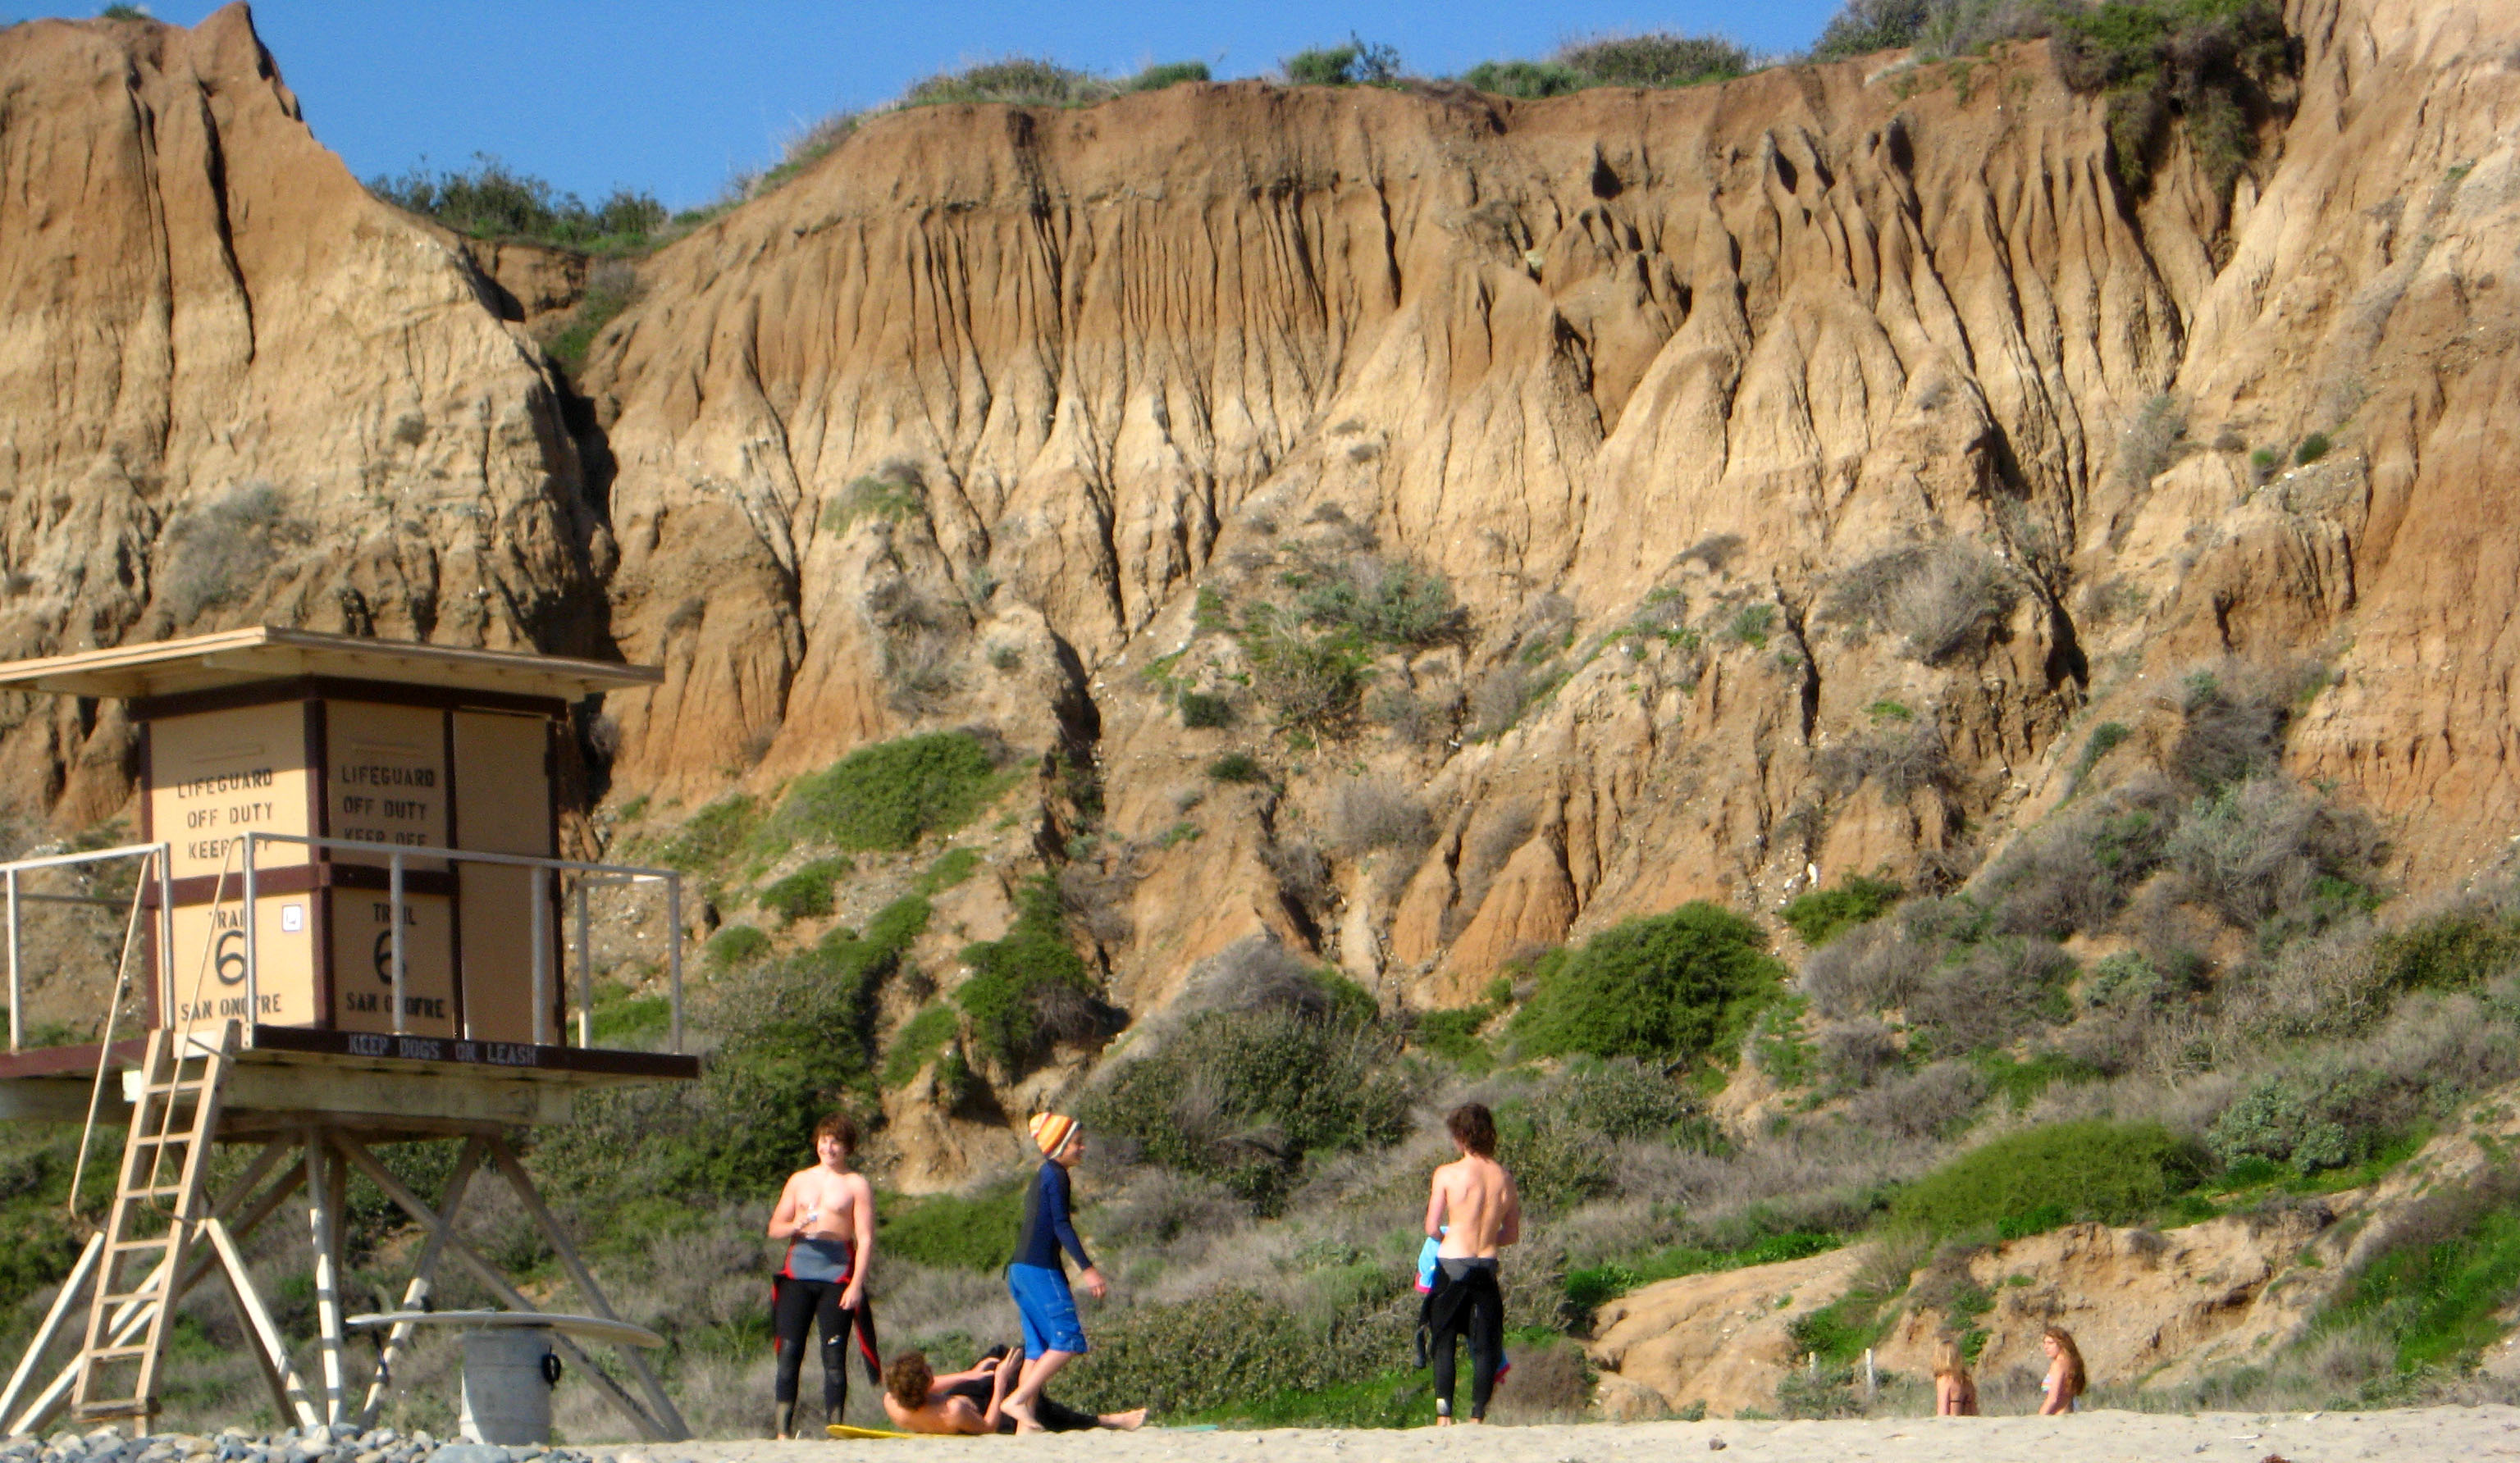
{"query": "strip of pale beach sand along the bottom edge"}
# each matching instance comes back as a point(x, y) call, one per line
point(2436, 1434)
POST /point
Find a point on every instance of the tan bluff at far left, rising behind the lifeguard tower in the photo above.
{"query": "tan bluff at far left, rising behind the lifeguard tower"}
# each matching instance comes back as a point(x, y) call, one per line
point(241, 389)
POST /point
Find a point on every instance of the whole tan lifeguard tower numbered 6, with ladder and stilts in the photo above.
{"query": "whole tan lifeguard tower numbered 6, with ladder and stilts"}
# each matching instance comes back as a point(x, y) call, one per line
point(346, 925)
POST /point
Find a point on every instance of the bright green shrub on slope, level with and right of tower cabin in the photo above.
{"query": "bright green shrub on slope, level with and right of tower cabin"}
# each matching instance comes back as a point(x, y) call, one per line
point(891, 794)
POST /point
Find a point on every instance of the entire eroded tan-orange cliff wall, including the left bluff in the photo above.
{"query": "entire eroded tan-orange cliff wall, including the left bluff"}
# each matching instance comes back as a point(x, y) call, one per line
point(1848, 389)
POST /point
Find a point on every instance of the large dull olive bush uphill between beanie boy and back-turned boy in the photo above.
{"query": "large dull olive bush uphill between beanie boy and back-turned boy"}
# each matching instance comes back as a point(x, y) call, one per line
point(1244, 1099)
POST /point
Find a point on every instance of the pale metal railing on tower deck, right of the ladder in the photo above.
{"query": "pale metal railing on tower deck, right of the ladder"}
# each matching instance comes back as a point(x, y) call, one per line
point(588, 875)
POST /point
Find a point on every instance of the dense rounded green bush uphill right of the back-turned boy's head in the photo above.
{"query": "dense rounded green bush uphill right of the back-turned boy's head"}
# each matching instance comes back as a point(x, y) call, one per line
point(1667, 991)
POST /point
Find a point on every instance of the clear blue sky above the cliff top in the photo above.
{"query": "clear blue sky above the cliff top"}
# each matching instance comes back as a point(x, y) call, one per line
point(679, 97)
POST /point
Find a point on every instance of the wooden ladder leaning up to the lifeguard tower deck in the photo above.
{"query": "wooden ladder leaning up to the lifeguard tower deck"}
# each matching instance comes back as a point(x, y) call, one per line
point(157, 1215)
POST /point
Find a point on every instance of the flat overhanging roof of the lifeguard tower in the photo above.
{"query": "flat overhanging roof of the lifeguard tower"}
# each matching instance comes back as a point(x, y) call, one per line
point(271, 653)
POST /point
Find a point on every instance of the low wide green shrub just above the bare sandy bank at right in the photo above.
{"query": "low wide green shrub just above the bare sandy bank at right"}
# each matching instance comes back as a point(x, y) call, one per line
point(2090, 1170)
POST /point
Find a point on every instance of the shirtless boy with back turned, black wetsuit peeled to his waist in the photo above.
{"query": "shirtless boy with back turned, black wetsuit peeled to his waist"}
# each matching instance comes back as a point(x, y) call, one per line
point(1475, 1210)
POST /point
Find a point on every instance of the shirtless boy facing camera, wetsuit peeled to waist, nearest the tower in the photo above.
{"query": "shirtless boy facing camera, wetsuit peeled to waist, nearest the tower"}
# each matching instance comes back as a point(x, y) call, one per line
point(828, 1217)
